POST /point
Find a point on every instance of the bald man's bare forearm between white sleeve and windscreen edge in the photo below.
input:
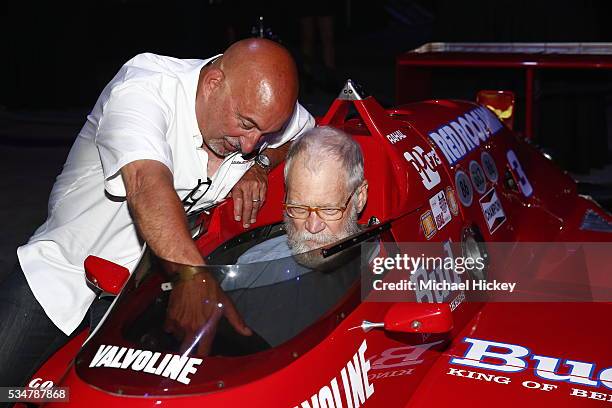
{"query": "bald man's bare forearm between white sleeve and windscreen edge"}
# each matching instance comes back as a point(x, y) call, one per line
point(158, 212)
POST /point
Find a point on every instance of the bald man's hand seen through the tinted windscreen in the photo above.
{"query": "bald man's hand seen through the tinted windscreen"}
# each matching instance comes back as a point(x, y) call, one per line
point(194, 310)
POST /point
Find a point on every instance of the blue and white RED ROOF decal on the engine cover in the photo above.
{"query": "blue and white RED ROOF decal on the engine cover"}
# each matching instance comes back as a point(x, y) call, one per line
point(465, 133)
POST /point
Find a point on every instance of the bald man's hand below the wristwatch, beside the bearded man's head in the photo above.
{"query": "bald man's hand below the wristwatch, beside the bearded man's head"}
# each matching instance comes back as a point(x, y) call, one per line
point(249, 195)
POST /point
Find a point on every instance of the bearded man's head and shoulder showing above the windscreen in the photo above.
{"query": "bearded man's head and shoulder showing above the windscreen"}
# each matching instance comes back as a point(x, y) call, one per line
point(325, 192)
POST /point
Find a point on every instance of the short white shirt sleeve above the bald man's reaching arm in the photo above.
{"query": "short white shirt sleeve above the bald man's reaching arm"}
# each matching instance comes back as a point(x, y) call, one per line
point(133, 127)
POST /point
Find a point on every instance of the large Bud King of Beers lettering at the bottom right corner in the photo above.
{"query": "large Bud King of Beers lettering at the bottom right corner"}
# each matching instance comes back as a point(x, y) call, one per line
point(508, 358)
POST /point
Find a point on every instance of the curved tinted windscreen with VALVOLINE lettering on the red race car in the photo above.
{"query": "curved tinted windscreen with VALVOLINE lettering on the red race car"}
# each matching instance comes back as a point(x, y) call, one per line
point(179, 329)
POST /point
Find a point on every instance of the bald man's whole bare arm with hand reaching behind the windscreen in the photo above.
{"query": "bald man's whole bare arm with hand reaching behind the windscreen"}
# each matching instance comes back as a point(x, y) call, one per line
point(193, 309)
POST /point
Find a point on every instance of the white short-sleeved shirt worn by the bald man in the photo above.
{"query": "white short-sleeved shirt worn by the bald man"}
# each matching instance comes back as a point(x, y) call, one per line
point(147, 111)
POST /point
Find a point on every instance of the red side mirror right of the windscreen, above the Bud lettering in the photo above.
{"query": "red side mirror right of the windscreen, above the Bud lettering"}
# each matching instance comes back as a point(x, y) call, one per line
point(407, 317)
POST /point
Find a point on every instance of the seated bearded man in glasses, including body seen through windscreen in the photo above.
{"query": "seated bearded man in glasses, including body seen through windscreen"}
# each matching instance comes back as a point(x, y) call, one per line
point(285, 288)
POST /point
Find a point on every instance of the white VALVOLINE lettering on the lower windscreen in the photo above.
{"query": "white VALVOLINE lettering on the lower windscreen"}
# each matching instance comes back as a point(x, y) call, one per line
point(173, 366)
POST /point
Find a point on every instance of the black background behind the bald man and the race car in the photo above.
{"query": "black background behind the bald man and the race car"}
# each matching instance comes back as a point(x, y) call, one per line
point(57, 57)
